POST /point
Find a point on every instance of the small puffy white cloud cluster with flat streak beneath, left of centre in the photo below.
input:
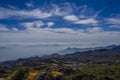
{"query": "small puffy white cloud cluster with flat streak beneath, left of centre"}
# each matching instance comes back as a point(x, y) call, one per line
point(31, 27)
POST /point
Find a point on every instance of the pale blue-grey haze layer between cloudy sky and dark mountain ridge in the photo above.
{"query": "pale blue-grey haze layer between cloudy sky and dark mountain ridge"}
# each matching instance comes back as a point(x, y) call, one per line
point(12, 51)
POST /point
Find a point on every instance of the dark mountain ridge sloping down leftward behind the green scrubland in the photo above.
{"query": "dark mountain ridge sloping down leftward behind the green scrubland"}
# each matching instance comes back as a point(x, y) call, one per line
point(102, 55)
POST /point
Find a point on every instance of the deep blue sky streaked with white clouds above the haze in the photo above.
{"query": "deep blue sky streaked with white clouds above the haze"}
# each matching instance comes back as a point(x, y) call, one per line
point(93, 22)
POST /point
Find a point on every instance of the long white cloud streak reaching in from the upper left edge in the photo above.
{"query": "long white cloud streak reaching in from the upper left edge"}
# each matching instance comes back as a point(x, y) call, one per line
point(35, 13)
